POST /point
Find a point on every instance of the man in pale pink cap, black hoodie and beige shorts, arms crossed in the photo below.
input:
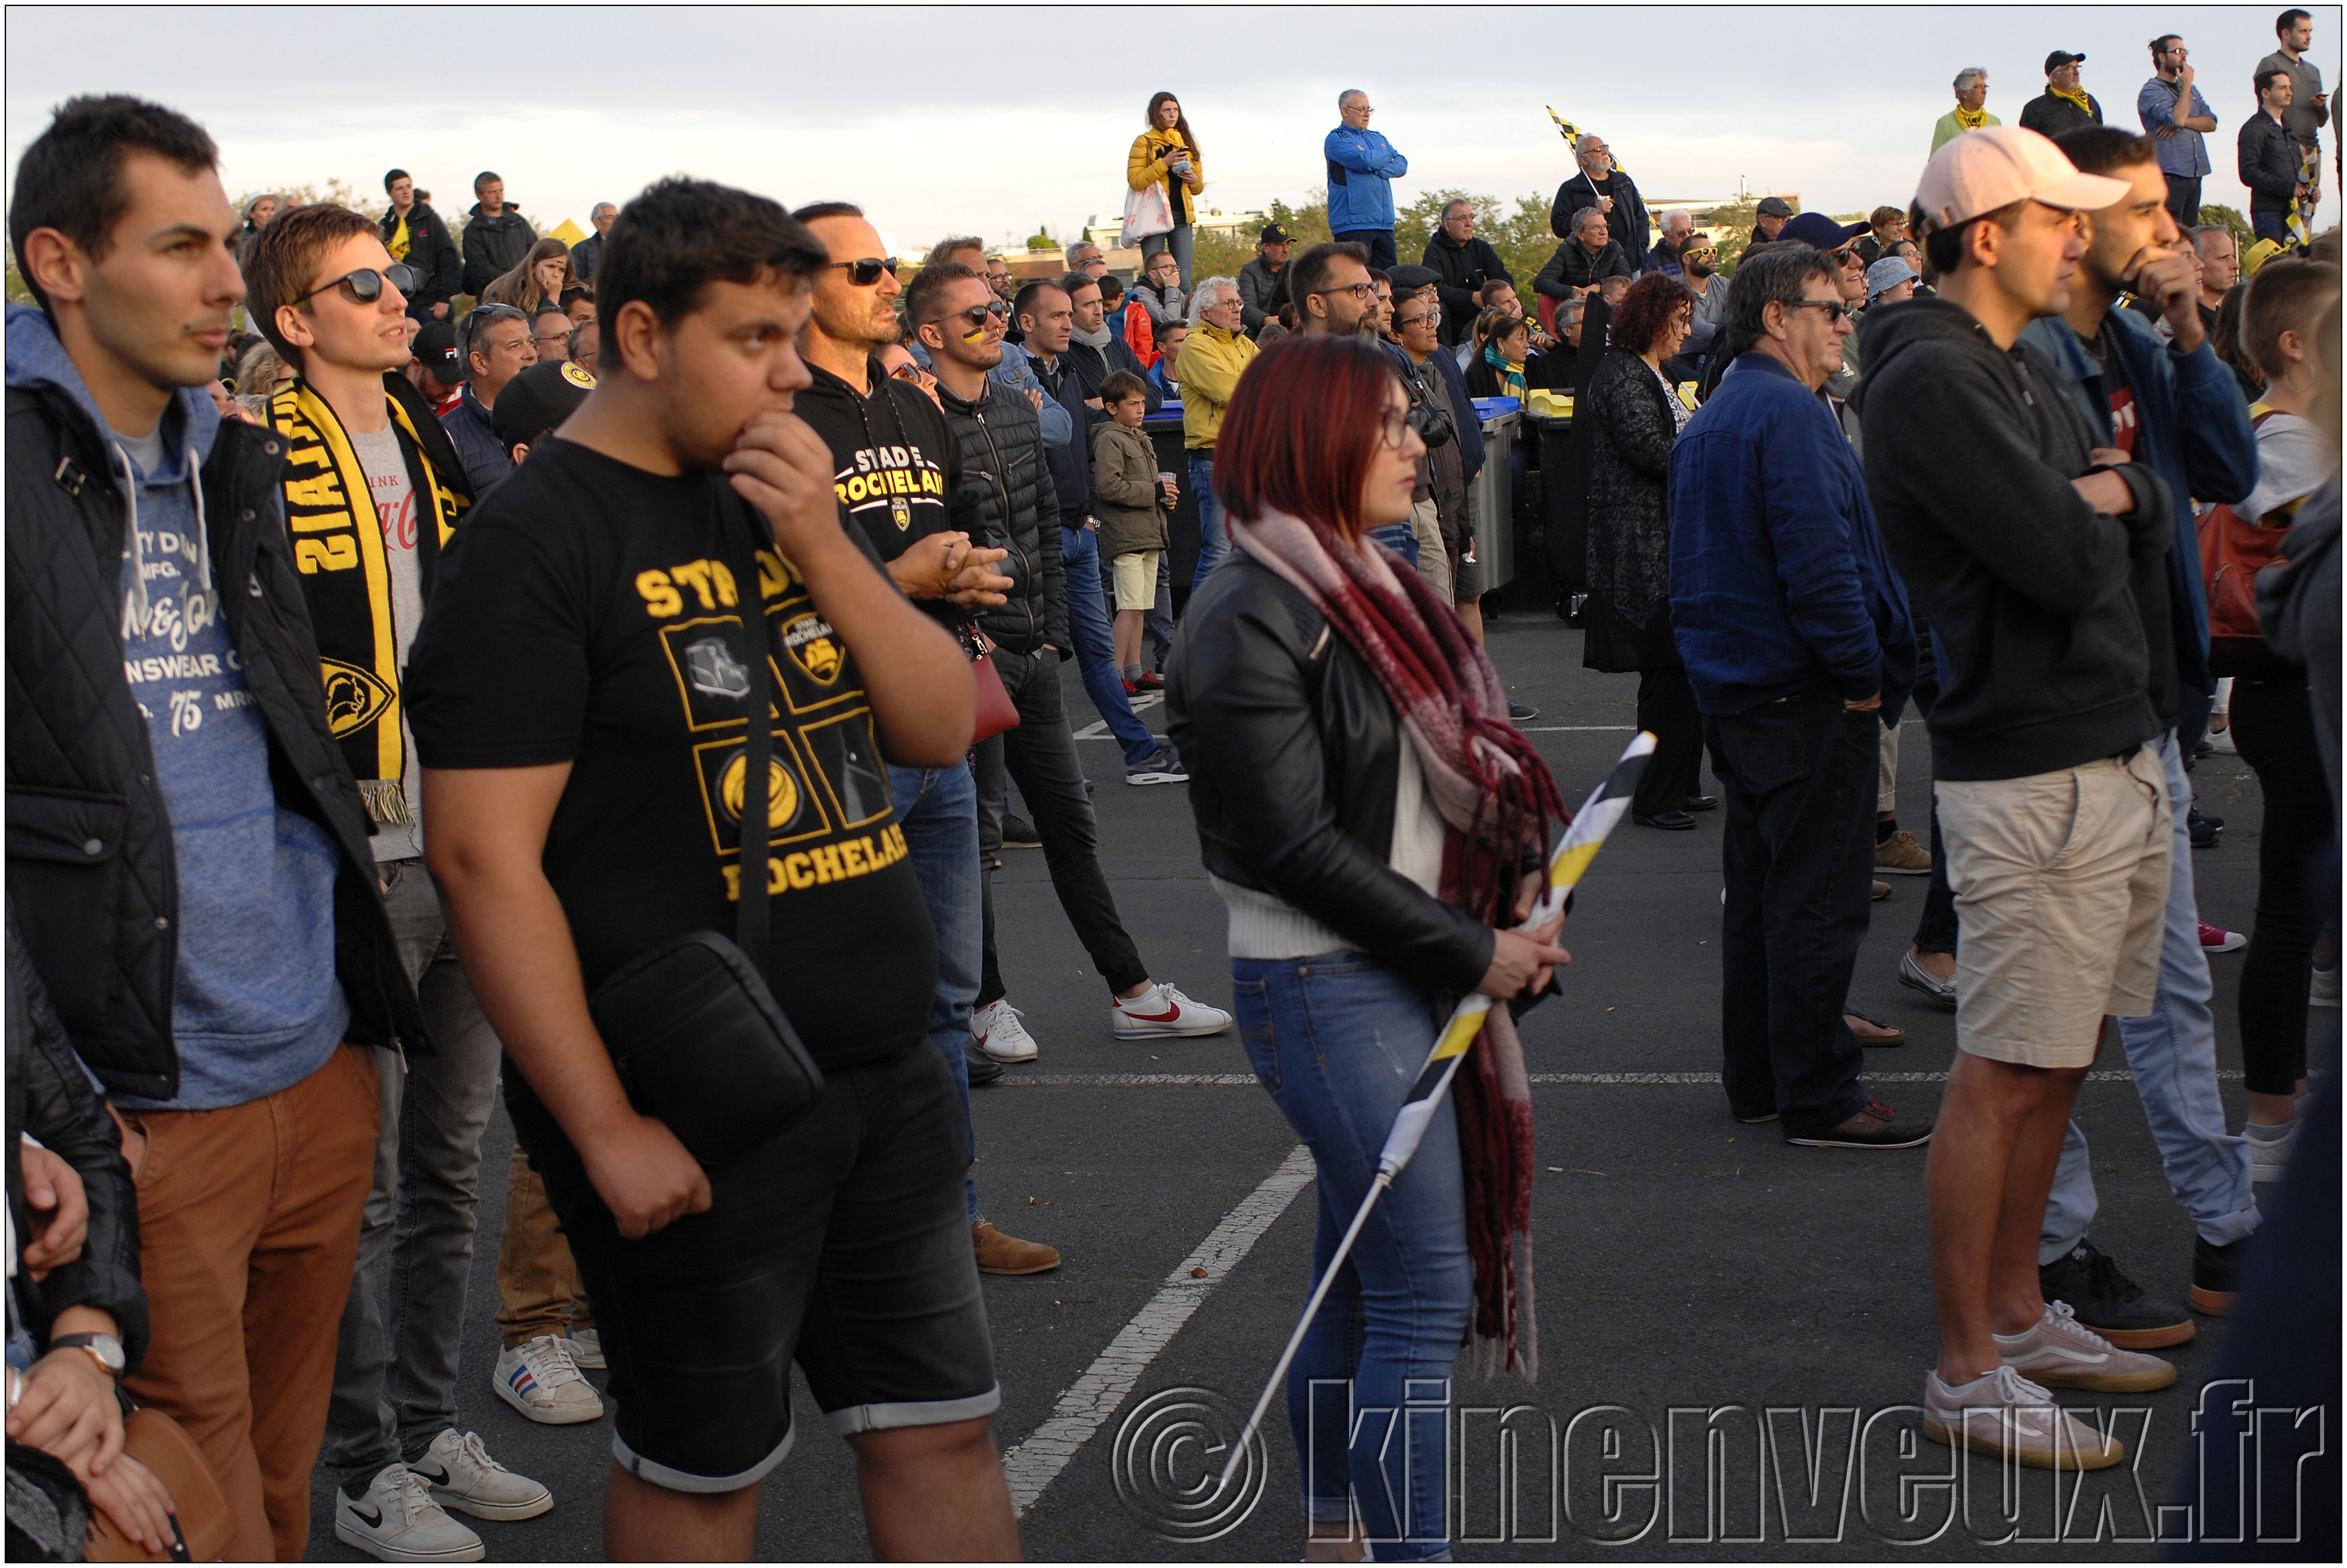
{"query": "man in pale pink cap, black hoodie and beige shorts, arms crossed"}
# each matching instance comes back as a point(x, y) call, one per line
point(2041, 565)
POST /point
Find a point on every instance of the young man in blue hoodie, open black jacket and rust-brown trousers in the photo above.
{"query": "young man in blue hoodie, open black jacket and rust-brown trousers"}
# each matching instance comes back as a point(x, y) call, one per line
point(184, 825)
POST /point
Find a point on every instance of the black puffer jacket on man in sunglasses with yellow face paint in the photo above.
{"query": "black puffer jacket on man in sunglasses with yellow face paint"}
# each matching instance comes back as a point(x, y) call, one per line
point(1008, 494)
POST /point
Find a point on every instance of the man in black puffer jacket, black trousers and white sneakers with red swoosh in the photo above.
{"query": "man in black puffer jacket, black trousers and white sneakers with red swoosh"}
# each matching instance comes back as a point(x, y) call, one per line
point(1003, 464)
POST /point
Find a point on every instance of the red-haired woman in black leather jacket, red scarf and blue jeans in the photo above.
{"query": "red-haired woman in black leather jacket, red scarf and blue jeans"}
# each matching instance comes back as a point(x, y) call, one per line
point(1374, 825)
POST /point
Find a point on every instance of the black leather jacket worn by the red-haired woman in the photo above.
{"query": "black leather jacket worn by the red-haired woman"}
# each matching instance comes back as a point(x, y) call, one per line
point(1294, 755)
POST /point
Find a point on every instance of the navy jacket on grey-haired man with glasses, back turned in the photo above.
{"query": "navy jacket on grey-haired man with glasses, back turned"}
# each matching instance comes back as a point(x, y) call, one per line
point(1780, 581)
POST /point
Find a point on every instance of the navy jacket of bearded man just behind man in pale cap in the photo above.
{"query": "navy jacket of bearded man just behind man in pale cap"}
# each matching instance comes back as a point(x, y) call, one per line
point(2191, 428)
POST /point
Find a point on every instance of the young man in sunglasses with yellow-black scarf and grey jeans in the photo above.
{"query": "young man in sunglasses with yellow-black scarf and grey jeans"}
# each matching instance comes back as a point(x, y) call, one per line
point(327, 297)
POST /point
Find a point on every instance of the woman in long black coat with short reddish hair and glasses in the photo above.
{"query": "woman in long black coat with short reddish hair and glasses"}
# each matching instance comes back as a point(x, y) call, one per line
point(1635, 419)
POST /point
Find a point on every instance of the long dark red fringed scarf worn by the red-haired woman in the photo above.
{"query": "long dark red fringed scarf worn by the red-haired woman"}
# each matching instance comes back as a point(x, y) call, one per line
point(1496, 799)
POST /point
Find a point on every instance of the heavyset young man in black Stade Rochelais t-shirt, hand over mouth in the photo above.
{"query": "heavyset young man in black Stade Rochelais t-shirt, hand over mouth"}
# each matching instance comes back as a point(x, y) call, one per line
point(581, 705)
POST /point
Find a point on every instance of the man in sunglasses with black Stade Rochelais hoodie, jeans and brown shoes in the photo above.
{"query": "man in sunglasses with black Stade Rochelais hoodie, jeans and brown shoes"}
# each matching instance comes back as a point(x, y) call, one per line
point(898, 471)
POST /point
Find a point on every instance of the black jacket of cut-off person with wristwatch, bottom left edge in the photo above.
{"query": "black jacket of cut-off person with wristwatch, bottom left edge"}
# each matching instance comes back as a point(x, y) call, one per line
point(50, 1097)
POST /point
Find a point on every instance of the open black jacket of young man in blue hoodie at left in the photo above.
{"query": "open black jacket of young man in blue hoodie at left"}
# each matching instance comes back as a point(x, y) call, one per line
point(88, 832)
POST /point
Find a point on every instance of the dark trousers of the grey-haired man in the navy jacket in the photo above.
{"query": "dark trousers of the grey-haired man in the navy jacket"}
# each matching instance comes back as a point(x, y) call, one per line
point(1799, 853)
